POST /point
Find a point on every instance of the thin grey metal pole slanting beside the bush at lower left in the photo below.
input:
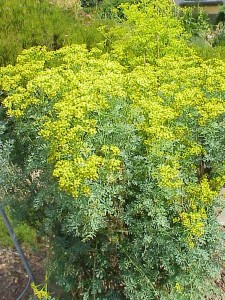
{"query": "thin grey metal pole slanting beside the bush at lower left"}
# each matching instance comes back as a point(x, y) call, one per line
point(17, 246)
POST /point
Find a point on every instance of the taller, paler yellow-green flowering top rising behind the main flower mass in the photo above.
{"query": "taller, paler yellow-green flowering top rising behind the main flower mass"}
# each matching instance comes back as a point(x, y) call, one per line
point(141, 42)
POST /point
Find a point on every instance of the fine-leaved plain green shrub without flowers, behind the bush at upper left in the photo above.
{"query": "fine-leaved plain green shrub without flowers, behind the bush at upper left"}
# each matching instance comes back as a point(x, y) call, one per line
point(30, 23)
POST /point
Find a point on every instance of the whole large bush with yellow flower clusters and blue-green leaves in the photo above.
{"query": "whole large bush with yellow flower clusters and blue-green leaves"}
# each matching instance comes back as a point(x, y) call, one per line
point(121, 159)
